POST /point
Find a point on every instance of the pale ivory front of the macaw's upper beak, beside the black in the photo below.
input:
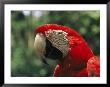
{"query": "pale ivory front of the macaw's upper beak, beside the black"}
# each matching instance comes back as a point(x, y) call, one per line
point(40, 44)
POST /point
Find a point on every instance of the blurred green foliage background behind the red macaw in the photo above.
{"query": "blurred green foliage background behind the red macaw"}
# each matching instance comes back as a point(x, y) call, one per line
point(24, 61)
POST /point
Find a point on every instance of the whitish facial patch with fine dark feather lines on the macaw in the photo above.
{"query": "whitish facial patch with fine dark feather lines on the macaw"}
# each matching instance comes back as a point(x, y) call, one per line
point(58, 40)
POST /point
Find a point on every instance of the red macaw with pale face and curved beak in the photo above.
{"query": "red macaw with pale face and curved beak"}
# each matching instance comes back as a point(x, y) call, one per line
point(65, 44)
